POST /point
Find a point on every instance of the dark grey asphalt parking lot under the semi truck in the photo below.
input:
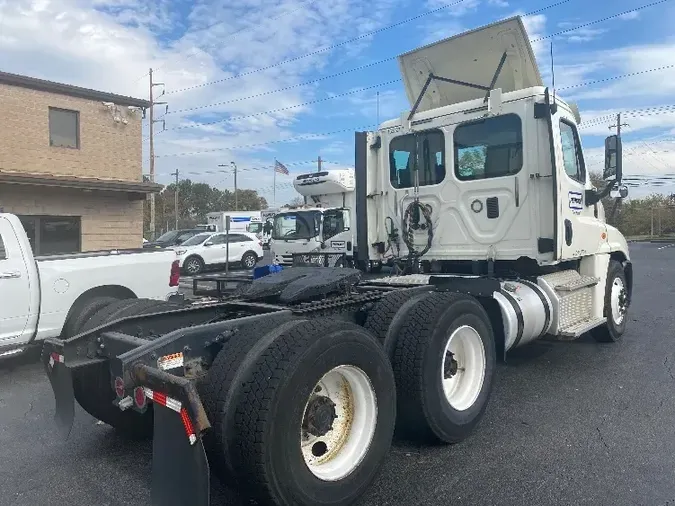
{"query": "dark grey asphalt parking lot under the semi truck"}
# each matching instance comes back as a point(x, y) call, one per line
point(568, 423)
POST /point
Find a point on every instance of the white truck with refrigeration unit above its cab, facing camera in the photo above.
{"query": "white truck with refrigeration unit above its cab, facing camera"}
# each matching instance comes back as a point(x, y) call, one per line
point(324, 224)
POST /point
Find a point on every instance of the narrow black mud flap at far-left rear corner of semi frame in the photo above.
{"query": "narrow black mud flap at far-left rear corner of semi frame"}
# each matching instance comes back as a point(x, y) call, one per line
point(61, 379)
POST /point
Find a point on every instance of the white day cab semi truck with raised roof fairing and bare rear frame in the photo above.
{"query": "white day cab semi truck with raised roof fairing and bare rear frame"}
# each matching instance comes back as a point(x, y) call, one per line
point(481, 194)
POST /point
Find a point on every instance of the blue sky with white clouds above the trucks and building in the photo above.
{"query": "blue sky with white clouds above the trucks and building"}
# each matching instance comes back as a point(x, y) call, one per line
point(241, 77)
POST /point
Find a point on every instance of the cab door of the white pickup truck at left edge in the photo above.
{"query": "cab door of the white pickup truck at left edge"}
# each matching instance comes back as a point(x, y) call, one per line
point(15, 300)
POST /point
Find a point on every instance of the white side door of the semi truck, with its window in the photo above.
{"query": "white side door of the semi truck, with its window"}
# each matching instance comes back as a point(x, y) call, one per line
point(579, 231)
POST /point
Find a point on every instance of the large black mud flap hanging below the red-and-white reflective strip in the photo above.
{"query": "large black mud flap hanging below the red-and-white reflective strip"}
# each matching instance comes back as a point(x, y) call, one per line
point(180, 470)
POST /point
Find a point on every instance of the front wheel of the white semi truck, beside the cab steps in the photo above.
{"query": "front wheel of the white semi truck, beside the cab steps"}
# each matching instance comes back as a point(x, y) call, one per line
point(615, 305)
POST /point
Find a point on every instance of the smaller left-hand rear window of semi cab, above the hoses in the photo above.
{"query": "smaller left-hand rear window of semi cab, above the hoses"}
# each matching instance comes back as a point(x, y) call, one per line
point(424, 151)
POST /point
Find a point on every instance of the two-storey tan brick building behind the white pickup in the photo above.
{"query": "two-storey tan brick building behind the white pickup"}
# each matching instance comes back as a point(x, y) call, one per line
point(71, 165)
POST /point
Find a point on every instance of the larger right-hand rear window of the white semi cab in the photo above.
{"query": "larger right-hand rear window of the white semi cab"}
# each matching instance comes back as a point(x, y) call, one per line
point(488, 148)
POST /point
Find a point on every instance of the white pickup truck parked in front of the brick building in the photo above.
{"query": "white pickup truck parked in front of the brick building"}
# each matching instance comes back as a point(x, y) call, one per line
point(53, 296)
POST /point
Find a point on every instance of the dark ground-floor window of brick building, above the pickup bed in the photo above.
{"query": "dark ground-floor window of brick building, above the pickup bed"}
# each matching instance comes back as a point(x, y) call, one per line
point(53, 235)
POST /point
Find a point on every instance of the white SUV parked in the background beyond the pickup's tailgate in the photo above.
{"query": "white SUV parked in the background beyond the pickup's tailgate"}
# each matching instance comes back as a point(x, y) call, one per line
point(209, 249)
